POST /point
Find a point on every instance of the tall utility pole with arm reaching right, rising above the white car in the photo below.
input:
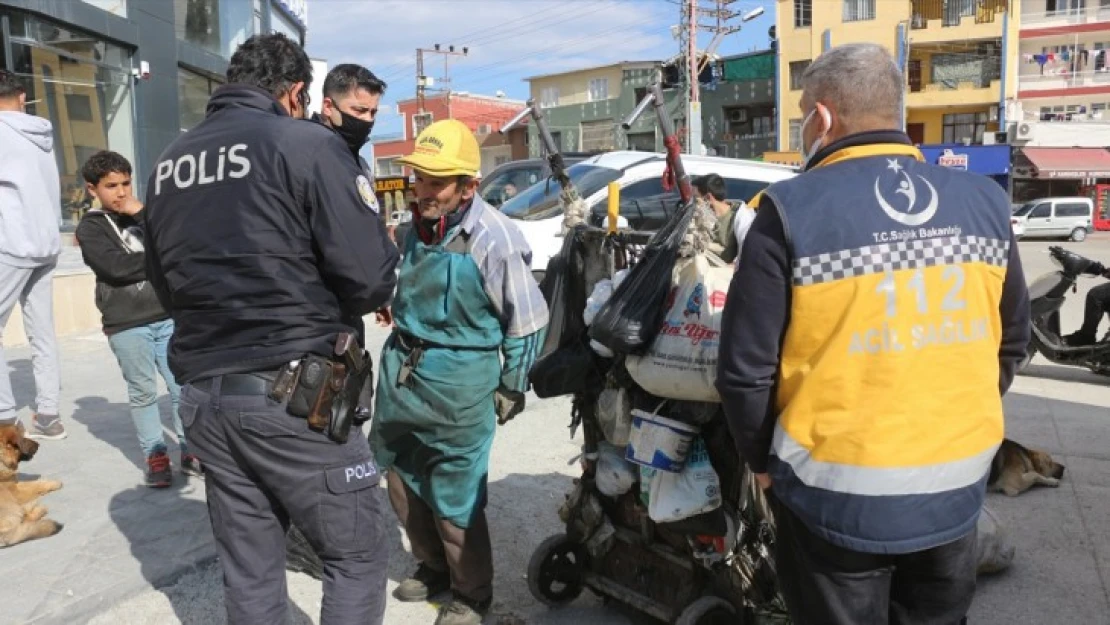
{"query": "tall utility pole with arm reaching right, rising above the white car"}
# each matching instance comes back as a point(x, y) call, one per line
point(689, 31)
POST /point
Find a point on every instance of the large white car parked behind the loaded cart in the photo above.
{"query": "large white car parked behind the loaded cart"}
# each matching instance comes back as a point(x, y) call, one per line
point(644, 204)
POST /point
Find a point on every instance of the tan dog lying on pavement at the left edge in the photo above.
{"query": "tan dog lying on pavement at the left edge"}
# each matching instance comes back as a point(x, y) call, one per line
point(22, 518)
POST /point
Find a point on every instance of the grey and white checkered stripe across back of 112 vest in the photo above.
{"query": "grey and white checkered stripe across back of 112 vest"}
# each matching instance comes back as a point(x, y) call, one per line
point(919, 254)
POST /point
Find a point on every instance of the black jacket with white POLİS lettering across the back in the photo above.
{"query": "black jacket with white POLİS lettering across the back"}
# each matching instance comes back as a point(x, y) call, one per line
point(260, 239)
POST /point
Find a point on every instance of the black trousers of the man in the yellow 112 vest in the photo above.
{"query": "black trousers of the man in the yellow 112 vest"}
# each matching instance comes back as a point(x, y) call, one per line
point(825, 584)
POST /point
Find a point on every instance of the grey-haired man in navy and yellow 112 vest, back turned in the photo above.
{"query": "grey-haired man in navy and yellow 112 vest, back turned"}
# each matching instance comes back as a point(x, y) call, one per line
point(876, 320)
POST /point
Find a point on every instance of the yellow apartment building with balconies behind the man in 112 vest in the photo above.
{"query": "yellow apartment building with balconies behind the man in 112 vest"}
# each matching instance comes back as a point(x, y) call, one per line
point(952, 52)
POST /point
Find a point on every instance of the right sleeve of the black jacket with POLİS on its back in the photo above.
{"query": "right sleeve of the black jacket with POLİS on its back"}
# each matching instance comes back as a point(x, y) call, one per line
point(358, 260)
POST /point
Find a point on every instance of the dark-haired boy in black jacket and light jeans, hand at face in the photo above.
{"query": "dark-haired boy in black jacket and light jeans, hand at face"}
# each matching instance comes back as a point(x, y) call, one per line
point(137, 326)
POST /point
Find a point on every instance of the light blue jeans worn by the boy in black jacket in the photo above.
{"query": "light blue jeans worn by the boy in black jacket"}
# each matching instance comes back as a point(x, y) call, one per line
point(142, 354)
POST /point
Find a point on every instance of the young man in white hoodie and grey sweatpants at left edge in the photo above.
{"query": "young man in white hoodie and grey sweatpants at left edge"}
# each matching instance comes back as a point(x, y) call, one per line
point(29, 247)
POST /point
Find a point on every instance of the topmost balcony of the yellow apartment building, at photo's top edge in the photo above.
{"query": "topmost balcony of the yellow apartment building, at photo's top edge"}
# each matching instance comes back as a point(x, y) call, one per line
point(948, 21)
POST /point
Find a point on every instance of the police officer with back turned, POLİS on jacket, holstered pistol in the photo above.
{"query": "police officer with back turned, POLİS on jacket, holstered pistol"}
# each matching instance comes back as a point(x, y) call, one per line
point(259, 239)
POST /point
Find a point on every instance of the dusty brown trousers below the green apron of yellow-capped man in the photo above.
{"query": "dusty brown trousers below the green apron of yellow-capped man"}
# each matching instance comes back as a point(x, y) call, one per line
point(441, 546)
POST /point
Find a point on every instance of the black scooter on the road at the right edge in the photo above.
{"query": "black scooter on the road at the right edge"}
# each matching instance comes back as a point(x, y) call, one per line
point(1047, 296)
